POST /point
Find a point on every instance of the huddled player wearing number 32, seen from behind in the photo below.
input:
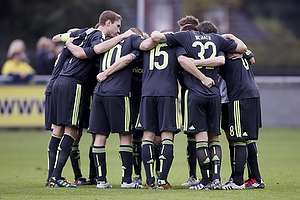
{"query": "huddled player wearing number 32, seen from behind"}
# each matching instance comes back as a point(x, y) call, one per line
point(203, 102)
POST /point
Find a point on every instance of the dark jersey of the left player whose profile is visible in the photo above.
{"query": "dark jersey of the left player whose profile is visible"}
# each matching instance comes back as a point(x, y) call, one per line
point(79, 69)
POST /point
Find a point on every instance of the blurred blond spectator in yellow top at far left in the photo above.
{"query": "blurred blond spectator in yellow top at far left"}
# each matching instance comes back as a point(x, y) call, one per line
point(17, 66)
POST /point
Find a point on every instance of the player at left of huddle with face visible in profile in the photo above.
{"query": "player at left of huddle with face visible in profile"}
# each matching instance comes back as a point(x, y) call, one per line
point(68, 93)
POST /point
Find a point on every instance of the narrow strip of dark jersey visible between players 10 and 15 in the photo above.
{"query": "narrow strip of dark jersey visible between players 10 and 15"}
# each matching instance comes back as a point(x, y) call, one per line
point(136, 81)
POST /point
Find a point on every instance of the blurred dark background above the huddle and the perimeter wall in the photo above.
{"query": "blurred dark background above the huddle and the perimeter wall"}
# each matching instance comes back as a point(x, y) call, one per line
point(269, 28)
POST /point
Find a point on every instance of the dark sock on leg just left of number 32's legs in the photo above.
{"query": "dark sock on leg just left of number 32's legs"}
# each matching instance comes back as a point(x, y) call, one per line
point(191, 157)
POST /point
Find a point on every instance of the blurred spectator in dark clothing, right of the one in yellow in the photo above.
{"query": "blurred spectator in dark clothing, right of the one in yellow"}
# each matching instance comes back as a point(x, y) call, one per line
point(45, 56)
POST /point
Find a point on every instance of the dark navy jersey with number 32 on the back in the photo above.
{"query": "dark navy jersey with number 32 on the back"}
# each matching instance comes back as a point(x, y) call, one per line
point(200, 46)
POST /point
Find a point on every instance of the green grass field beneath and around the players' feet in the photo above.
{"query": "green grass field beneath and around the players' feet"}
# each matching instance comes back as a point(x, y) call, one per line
point(23, 169)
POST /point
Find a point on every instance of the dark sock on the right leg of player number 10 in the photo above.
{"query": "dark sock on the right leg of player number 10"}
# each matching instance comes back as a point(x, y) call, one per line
point(126, 156)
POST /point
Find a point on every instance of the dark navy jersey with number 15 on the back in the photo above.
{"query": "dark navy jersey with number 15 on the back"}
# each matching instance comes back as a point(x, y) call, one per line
point(160, 70)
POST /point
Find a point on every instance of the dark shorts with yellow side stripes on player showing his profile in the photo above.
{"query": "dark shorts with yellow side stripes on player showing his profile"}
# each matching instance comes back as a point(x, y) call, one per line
point(66, 102)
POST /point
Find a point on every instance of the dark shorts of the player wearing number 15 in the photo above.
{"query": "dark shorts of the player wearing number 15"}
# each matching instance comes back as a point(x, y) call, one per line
point(159, 114)
